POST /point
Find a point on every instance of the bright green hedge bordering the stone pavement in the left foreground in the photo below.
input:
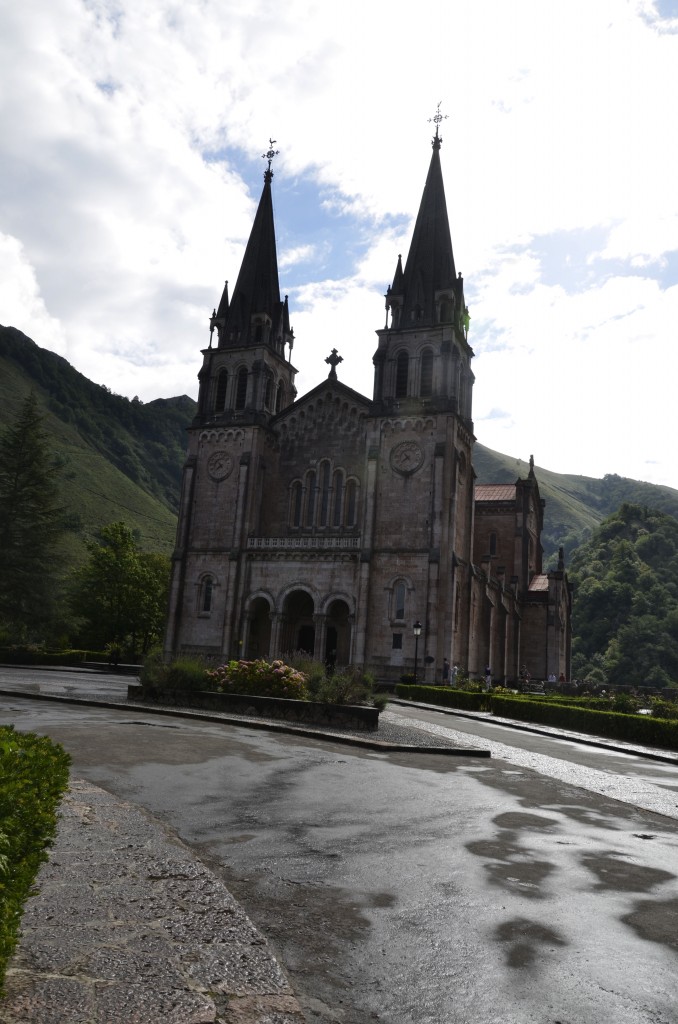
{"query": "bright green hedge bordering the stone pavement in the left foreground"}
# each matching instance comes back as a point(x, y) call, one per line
point(34, 776)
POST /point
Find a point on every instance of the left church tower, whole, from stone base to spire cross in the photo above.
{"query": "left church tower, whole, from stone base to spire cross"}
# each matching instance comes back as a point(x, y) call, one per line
point(246, 380)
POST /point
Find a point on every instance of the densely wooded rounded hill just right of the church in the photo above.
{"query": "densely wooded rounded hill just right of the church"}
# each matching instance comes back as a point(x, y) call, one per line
point(625, 618)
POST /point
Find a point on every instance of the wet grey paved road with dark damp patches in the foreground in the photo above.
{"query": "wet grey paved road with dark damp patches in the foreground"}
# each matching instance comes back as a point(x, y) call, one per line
point(403, 888)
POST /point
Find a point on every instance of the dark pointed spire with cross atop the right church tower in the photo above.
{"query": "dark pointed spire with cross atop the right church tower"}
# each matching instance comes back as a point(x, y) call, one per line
point(431, 265)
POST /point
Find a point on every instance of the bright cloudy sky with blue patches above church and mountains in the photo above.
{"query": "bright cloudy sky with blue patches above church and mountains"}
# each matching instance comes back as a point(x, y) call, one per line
point(132, 135)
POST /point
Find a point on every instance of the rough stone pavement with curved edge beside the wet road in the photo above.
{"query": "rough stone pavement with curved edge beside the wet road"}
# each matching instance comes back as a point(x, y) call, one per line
point(129, 927)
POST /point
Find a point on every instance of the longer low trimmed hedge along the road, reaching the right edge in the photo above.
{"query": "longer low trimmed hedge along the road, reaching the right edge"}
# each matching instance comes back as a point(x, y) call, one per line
point(637, 729)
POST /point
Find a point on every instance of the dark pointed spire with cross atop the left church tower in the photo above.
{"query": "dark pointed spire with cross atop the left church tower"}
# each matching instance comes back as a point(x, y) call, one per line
point(256, 312)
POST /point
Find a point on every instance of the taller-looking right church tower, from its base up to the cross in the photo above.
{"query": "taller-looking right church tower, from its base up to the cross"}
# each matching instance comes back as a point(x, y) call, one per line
point(421, 443)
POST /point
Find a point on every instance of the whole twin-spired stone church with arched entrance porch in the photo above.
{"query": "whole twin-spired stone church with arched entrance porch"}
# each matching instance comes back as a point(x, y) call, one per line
point(333, 523)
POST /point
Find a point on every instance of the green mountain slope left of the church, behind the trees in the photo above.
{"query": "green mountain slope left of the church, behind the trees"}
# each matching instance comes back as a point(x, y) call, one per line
point(120, 459)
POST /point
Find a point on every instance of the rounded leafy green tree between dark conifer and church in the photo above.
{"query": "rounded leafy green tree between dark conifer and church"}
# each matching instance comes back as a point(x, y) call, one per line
point(121, 592)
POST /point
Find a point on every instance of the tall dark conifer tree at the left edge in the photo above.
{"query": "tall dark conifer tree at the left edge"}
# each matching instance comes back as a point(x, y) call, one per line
point(32, 523)
